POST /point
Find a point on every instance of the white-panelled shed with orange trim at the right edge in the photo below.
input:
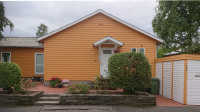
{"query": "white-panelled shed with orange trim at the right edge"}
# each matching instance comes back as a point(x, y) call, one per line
point(179, 77)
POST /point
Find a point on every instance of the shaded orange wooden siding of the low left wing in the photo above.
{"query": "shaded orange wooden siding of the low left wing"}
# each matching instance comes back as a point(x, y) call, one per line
point(25, 58)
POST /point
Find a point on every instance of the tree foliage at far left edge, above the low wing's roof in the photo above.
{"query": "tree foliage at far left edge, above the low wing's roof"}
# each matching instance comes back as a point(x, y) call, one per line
point(4, 21)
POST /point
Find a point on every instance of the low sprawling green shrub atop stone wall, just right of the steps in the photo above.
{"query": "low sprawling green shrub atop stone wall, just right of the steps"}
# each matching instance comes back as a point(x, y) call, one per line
point(78, 89)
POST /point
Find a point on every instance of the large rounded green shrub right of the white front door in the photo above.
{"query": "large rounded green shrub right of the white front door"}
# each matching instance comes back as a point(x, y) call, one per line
point(129, 71)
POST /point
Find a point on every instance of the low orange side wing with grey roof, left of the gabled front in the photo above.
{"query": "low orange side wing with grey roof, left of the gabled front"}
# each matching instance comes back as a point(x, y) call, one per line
point(26, 52)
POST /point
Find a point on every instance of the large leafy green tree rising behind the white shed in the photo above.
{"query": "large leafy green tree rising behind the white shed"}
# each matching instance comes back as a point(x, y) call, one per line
point(178, 24)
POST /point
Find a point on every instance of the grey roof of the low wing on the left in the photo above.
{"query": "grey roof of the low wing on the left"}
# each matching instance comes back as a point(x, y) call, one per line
point(20, 42)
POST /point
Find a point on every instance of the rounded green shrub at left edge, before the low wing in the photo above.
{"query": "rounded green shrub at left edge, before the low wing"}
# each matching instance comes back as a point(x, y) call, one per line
point(10, 76)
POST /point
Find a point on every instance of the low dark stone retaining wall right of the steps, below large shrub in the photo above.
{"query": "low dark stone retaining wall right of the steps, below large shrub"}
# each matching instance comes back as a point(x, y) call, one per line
point(141, 99)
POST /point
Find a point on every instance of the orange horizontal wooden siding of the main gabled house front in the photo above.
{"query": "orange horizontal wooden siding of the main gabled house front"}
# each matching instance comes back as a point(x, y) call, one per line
point(70, 54)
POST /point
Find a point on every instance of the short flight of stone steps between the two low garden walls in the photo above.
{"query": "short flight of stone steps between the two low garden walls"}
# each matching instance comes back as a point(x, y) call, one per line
point(48, 99)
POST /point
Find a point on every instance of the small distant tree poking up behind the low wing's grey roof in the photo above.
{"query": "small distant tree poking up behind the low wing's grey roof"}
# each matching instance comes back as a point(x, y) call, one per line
point(42, 30)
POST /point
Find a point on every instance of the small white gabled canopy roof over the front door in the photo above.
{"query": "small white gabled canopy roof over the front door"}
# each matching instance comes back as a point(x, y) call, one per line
point(108, 38)
